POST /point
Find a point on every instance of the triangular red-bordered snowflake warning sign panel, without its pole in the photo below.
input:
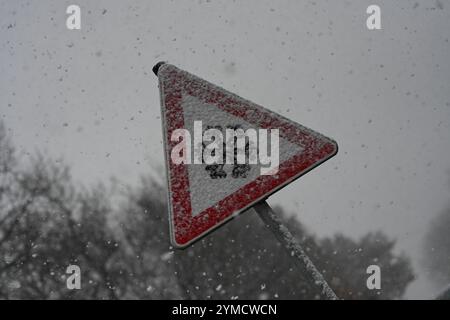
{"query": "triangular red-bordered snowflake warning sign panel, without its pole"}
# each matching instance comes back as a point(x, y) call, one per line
point(204, 196)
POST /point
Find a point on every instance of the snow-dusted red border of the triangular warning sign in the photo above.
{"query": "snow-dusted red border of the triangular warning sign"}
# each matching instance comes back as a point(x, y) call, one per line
point(319, 148)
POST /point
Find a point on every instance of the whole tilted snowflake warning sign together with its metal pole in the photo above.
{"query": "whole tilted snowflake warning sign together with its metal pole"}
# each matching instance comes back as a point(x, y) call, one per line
point(225, 154)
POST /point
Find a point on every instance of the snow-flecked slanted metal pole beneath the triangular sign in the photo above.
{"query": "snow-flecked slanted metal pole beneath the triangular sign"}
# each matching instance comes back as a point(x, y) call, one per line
point(290, 243)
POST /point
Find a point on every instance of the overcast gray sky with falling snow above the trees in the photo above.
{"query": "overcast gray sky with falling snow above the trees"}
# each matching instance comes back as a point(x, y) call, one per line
point(89, 95)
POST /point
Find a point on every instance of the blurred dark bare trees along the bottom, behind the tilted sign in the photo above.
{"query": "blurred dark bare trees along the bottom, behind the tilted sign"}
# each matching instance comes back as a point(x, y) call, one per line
point(48, 223)
